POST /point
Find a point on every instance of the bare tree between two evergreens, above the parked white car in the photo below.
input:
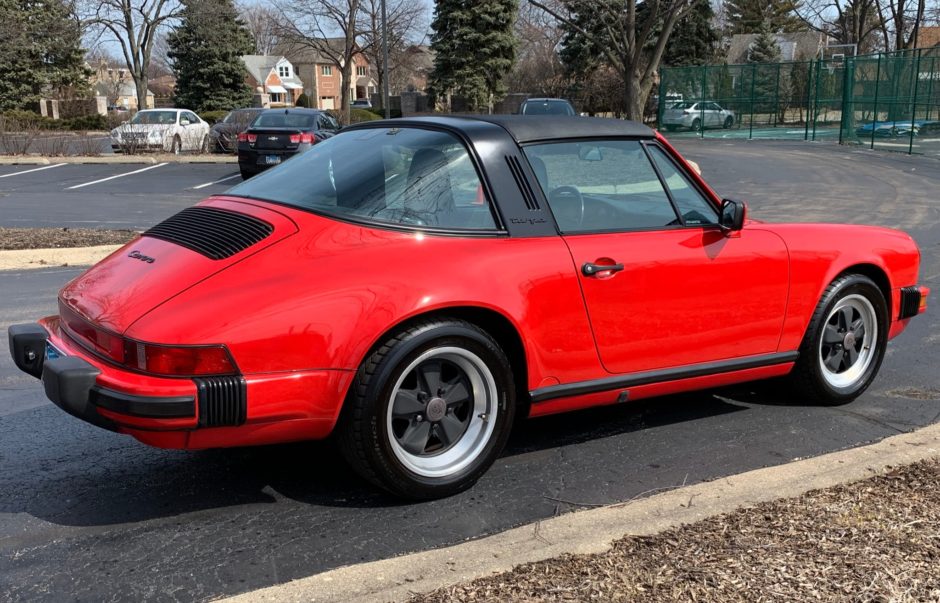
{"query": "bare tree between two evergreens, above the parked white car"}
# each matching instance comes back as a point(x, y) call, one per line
point(134, 24)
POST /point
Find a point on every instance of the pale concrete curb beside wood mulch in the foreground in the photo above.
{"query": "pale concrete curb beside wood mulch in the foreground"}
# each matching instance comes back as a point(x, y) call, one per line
point(593, 531)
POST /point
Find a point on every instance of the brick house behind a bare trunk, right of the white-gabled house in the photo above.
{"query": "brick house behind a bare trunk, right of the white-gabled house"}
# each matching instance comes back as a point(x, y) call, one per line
point(322, 76)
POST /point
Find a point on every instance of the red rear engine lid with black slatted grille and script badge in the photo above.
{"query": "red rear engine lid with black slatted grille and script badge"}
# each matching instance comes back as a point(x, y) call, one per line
point(171, 257)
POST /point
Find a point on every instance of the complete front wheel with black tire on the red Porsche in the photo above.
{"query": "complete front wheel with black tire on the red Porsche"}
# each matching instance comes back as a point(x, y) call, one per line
point(827, 371)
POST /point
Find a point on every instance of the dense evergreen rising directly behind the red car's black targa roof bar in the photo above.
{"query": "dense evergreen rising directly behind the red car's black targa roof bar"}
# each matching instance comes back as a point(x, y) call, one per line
point(474, 48)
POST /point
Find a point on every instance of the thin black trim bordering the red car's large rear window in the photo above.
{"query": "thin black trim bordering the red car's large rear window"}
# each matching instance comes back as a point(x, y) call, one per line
point(499, 232)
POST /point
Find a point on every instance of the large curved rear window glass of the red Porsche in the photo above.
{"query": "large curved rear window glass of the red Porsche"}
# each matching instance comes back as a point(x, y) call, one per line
point(400, 176)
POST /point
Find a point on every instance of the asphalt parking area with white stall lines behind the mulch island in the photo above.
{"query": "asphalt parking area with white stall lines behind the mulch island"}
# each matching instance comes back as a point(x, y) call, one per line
point(134, 196)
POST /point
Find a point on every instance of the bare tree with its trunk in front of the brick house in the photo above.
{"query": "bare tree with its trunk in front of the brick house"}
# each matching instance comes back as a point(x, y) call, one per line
point(306, 24)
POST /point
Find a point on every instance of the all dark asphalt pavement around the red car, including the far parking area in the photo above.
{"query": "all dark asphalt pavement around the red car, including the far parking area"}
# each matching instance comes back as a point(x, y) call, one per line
point(89, 515)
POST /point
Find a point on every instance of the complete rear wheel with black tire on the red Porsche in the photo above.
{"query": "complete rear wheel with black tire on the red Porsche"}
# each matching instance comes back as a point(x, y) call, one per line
point(403, 436)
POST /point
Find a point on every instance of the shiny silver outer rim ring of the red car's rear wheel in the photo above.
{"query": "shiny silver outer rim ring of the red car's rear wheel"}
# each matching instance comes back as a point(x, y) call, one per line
point(476, 434)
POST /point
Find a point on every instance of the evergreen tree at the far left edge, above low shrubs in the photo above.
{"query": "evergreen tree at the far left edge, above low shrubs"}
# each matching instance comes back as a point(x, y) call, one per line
point(41, 54)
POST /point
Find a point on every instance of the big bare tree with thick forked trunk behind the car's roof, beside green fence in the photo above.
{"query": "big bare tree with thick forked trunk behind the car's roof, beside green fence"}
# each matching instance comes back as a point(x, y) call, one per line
point(632, 42)
